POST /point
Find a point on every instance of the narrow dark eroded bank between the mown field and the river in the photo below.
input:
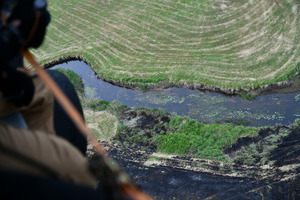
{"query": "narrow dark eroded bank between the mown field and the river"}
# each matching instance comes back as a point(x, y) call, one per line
point(292, 85)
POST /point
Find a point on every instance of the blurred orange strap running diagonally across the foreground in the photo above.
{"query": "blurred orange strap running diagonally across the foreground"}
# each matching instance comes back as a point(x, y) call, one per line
point(78, 120)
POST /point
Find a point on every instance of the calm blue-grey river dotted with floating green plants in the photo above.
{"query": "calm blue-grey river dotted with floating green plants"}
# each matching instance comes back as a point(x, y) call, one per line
point(210, 107)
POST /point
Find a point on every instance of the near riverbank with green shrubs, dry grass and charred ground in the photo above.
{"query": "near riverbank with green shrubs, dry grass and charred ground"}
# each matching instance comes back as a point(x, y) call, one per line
point(263, 166)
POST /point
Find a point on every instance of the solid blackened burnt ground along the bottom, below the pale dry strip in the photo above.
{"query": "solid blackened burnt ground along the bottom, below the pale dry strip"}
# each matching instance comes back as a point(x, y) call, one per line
point(173, 183)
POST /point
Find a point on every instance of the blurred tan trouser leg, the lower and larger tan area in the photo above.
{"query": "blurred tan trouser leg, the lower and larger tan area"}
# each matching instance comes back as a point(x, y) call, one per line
point(50, 150)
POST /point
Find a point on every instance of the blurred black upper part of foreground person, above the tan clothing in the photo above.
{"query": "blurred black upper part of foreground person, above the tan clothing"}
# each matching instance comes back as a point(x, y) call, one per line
point(23, 24)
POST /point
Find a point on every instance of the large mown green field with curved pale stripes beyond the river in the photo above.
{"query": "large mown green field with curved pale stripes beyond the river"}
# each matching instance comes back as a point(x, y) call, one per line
point(237, 43)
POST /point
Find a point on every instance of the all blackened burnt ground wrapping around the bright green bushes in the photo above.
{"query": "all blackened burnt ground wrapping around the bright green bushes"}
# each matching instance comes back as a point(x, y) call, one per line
point(272, 173)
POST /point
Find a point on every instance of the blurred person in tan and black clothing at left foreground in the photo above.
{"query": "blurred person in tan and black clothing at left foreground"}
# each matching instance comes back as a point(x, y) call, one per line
point(35, 163)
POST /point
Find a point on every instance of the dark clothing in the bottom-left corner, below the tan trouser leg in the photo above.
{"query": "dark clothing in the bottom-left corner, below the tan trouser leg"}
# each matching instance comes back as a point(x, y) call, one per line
point(24, 186)
